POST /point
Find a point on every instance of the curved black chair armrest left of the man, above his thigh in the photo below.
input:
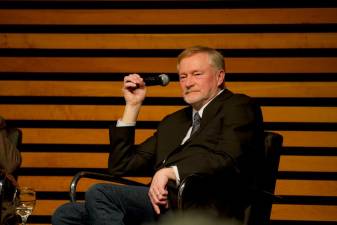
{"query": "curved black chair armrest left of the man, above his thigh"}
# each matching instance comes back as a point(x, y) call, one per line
point(97, 176)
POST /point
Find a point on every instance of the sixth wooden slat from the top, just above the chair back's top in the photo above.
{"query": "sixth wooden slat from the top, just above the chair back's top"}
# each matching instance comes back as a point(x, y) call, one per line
point(100, 136)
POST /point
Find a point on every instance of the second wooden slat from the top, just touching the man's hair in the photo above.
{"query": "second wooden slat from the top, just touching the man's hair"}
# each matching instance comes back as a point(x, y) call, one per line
point(169, 41)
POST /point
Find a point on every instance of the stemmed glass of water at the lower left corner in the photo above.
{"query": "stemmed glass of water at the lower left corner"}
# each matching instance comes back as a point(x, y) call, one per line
point(25, 198)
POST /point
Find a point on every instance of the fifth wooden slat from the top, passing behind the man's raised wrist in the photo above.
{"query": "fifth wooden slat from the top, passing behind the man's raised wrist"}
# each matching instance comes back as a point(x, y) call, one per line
point(153, 113)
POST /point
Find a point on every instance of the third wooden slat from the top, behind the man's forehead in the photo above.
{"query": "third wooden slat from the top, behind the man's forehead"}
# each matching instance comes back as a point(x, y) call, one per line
point(166, 65)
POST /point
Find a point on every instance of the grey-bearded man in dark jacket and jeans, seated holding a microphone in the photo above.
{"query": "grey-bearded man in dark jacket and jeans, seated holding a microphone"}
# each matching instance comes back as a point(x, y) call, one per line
point(223, 141)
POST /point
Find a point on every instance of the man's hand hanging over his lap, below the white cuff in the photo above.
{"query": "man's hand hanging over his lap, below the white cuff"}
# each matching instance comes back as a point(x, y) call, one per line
point(158, 189)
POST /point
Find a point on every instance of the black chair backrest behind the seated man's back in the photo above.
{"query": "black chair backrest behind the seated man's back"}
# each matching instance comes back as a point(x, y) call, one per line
point(259, 213)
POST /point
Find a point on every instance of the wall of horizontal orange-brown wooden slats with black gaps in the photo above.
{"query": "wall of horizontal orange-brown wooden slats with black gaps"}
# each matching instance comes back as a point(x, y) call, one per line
point(62, 62)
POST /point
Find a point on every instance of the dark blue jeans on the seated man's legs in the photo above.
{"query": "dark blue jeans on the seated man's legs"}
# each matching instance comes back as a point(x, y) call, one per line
point(108, 204)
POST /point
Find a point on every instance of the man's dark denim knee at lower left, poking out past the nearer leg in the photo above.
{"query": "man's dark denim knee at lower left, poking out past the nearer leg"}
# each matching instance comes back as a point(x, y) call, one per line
point(70, 214)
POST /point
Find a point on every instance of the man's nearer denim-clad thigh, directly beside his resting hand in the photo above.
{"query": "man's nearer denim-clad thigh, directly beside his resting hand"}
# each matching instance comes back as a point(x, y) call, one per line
point(118, 205)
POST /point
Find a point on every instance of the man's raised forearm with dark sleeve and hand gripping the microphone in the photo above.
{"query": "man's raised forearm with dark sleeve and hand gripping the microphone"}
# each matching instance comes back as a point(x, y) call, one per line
point(124, 155)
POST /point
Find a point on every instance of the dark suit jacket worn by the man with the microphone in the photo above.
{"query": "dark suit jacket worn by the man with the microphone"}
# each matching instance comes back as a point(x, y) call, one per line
point(228, 144)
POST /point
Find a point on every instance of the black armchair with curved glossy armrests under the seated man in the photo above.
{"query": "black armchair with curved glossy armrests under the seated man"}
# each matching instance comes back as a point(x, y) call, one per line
point(258, 213)
